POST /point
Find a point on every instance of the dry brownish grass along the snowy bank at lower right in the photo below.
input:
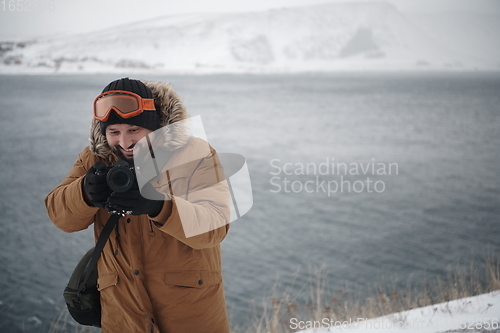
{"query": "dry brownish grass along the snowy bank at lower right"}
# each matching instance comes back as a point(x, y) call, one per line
point(342, 305)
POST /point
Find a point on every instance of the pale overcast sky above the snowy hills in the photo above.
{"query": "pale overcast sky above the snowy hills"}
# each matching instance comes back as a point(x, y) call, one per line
point(80, 16)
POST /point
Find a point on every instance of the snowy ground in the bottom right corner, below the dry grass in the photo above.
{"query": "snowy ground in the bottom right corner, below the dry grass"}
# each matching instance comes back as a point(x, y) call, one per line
point(477, 314)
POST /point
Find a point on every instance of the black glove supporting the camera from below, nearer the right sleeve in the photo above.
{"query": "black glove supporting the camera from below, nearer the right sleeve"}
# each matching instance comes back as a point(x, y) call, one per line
point(133, 203)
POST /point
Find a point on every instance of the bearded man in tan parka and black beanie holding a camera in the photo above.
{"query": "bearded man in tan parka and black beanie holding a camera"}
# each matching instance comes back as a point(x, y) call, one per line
point(157, 273)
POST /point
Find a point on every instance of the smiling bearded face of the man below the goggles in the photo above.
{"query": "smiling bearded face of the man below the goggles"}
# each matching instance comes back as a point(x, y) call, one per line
point(123, 137)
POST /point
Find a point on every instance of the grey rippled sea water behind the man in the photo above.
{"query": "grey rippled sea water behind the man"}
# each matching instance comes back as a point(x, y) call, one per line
point(439, 205)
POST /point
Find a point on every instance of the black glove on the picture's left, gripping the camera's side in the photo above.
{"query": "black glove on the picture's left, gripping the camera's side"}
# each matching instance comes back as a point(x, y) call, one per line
point(95, 185)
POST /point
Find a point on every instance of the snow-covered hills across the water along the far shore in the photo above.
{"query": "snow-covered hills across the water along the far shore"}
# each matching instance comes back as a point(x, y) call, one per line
point(335, 36)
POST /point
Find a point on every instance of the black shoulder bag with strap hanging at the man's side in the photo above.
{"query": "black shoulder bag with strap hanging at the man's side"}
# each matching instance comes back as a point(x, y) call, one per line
point(81, 294)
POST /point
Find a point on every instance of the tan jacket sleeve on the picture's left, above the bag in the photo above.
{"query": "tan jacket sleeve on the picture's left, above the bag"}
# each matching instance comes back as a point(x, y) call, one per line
point(65, 204)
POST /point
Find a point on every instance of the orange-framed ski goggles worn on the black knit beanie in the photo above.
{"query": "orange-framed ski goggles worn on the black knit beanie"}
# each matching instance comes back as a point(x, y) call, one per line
point(125, 103)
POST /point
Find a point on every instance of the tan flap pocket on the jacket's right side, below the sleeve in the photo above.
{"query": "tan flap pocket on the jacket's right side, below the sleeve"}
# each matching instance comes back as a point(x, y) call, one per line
point(193, 279)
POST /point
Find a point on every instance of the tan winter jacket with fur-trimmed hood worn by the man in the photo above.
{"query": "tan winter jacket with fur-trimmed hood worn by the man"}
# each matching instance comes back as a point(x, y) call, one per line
point(153, 278)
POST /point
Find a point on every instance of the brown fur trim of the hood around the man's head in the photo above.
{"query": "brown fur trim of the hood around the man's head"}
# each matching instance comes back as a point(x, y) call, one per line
point(170, 109)
